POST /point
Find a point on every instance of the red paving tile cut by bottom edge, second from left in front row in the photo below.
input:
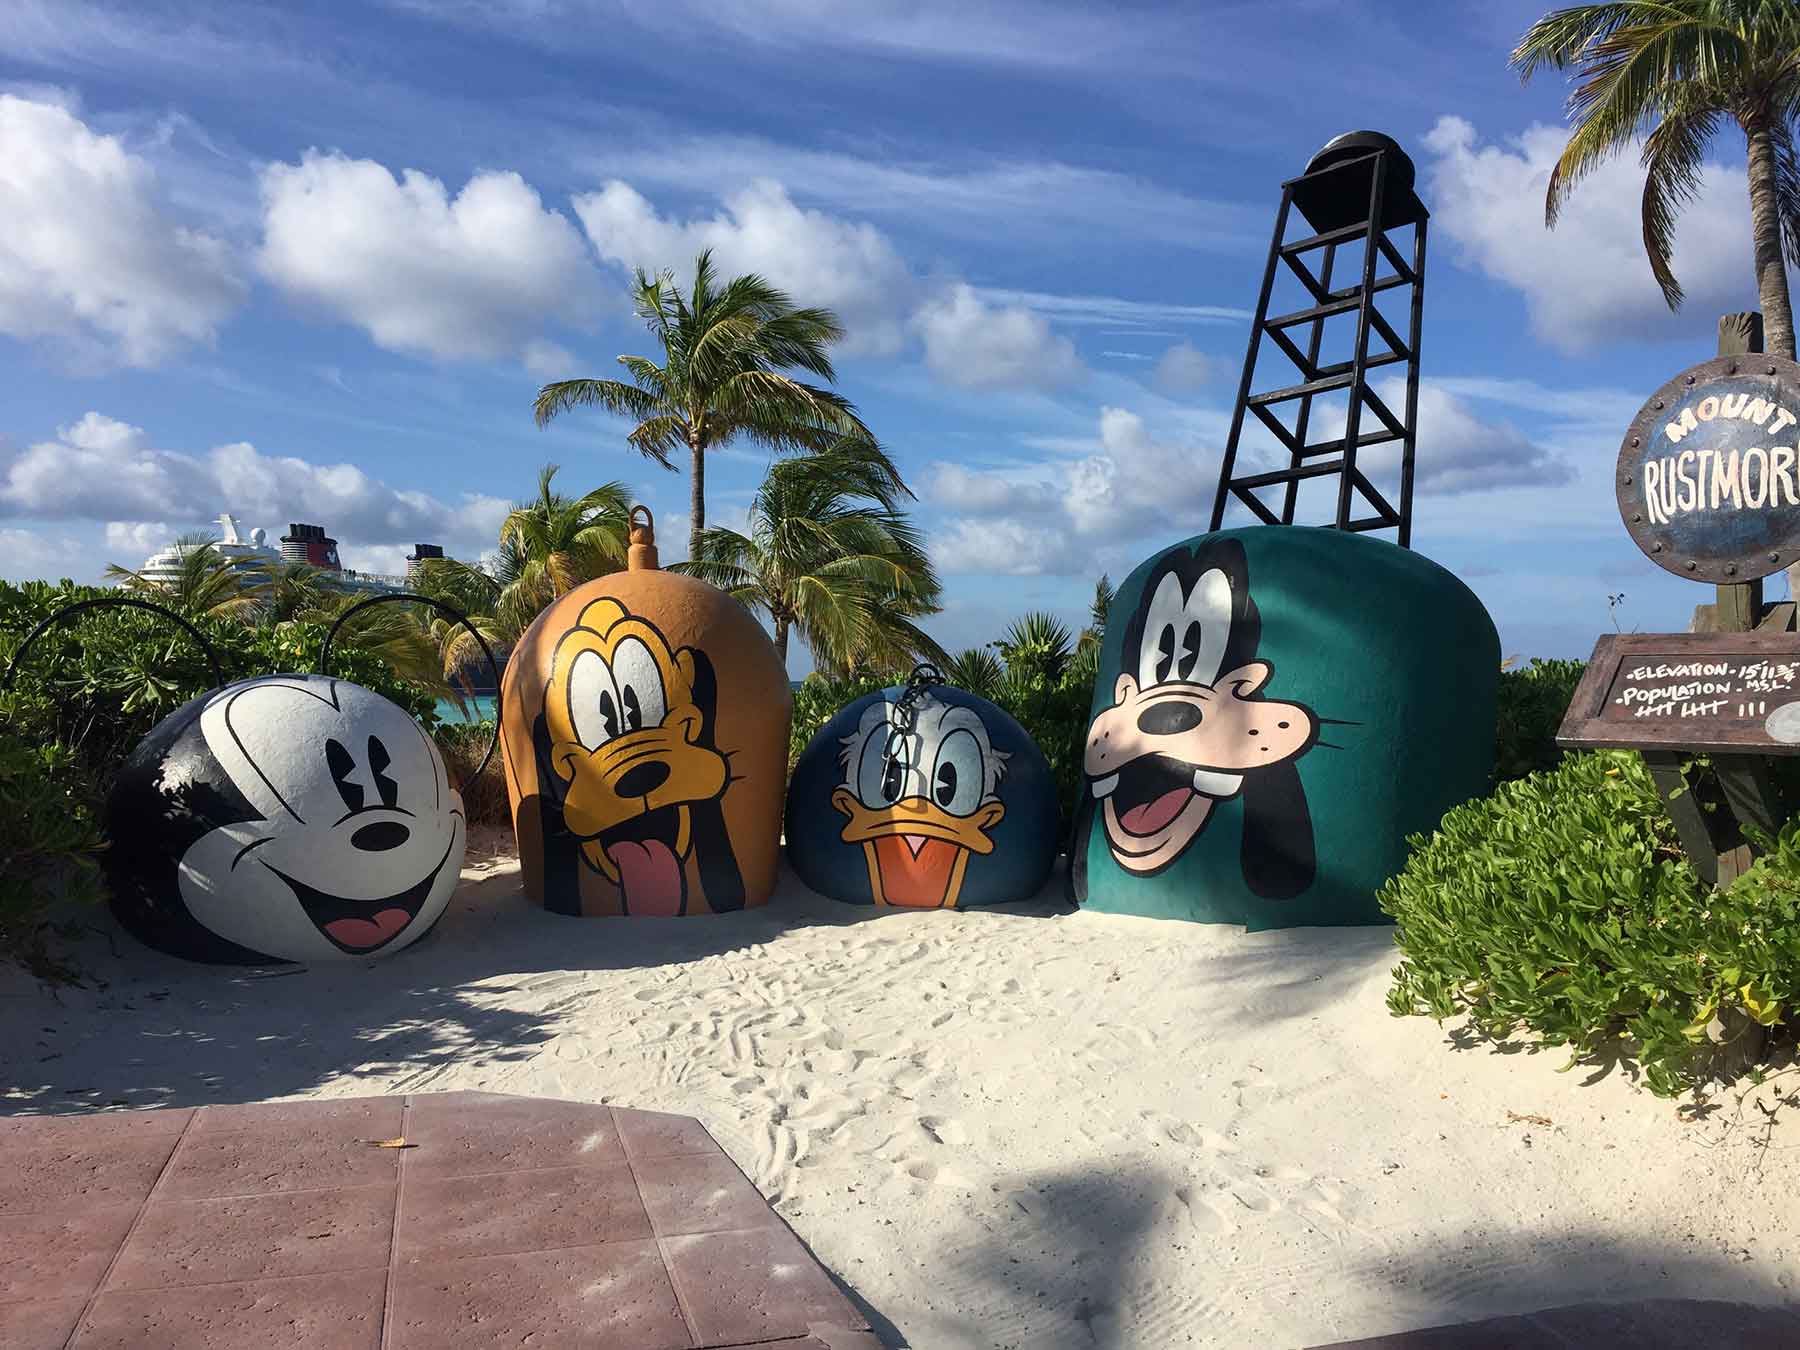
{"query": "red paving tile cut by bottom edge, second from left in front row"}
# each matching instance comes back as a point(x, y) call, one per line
point(319, 1313)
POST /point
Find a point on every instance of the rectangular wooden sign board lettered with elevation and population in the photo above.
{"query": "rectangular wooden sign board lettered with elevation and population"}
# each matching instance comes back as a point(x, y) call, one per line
point(1689, 692)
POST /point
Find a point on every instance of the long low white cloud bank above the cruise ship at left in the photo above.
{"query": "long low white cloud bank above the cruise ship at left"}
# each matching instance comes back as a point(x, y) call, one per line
point(107, 471)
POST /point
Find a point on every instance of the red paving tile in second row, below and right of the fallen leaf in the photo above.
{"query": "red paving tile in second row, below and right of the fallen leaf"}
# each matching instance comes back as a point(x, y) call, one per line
point(501, 1212)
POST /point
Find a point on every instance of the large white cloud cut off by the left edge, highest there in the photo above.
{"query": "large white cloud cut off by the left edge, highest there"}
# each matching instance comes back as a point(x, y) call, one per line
point(89, 260)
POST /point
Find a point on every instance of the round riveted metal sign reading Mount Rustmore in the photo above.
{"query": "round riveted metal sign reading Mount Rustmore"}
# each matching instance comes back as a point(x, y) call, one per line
point(1709, 474)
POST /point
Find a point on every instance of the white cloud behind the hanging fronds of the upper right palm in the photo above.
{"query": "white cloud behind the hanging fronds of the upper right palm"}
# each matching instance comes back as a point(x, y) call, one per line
point(1587, 283)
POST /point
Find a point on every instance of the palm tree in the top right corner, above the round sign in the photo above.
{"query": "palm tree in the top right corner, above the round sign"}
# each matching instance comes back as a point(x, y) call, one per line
point(1678, 69)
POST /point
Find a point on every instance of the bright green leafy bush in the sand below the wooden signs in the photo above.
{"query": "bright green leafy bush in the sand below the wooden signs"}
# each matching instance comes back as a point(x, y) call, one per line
point(1563, 904)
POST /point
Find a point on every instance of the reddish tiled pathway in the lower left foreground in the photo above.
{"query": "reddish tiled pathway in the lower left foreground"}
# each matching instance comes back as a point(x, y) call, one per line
point(508, 1221)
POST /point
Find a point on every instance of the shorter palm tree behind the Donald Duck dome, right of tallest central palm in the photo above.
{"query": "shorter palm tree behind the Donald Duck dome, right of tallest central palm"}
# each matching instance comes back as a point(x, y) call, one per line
point(832, 557)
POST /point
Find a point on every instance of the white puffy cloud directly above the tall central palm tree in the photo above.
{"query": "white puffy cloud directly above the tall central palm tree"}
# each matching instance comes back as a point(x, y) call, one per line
point(820, 260)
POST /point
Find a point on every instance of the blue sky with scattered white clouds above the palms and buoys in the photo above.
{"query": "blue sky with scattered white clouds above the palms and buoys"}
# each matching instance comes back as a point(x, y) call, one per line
point(314, 262)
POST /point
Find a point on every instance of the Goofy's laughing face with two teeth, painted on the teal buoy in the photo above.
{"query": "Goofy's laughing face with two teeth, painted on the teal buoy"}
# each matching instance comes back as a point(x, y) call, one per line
point(1187, 726)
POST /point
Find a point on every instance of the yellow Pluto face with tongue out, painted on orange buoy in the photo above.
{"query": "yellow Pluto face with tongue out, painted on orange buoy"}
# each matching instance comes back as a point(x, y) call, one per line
point(627, 721)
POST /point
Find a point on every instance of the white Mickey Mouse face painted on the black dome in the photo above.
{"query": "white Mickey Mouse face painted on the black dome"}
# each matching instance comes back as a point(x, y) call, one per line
point(361, 834)
